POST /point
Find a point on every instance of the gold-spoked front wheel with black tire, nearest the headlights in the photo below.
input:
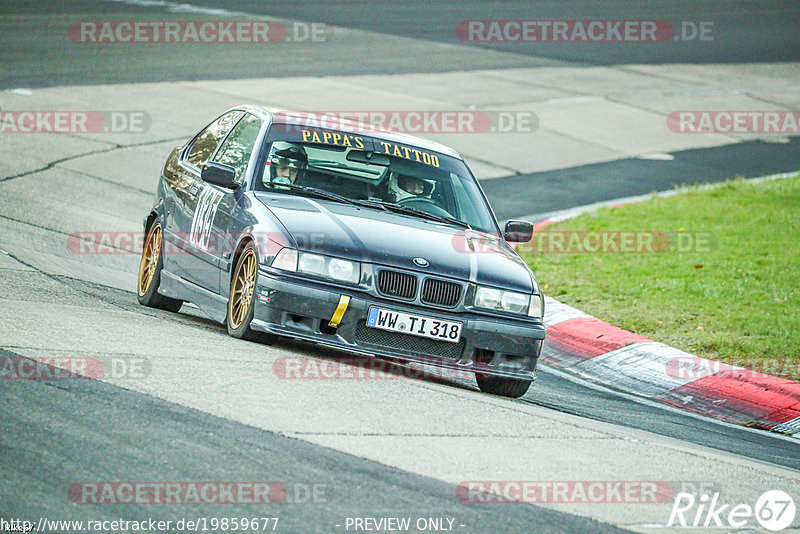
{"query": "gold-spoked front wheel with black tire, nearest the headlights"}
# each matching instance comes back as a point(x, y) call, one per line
point(241, 302)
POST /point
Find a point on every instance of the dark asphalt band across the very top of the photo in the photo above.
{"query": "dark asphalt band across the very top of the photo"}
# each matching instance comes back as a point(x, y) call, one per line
point(34, 54)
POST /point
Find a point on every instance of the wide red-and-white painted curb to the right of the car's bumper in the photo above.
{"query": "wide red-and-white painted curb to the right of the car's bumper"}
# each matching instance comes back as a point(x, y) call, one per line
point(627, 361)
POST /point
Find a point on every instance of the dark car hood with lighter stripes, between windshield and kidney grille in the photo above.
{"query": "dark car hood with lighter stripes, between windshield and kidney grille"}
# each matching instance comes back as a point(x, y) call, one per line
point(391, 239)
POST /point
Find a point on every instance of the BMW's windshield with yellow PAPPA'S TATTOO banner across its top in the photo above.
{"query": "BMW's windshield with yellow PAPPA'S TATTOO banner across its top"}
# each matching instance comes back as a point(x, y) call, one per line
point(374, 173)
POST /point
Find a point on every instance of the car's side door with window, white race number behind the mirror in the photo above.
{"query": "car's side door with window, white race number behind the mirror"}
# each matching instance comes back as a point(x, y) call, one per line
point(217, 205)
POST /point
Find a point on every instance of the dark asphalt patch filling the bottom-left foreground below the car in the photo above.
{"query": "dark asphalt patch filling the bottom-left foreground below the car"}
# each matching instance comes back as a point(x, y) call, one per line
point(104, 432)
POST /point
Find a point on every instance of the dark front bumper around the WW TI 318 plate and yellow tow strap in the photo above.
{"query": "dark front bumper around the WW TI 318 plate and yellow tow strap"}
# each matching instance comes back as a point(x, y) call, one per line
point(302, 309)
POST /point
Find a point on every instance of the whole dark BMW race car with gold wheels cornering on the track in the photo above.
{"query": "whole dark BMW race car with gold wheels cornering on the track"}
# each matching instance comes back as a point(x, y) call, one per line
point(360, 239)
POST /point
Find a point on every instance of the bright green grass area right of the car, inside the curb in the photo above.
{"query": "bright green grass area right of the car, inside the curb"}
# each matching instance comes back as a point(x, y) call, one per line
point(722, 280)
